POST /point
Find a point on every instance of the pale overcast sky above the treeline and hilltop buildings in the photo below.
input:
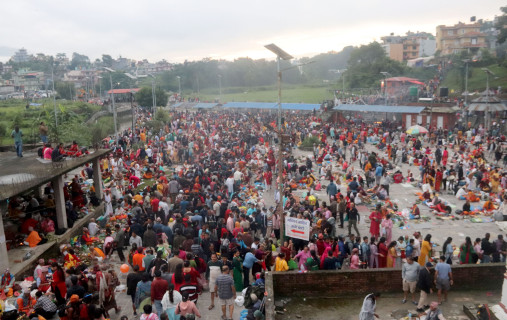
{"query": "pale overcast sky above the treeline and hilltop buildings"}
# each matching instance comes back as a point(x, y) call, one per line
point(221, 29)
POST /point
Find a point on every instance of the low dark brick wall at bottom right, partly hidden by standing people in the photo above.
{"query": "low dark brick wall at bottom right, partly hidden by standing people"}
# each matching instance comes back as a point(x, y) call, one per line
point(335, 283)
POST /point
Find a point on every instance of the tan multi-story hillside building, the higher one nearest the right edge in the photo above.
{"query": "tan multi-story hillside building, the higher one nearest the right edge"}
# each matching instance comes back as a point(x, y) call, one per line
point(461, 36)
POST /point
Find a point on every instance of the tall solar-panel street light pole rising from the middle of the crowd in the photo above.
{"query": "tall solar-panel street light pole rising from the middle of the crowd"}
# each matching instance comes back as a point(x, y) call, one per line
point(280, 54)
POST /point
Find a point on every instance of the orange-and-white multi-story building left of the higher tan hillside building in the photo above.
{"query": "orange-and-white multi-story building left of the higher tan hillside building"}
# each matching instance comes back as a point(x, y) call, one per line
point(411, 46)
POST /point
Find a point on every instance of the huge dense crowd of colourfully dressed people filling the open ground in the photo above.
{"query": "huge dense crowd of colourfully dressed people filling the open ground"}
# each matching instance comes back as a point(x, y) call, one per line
point(195, 206)
